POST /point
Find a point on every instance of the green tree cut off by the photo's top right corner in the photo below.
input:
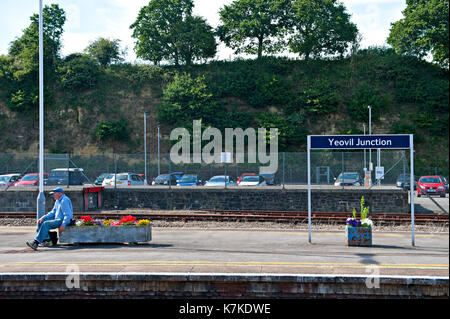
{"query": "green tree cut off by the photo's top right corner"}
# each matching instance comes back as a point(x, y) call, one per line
point(423, 30)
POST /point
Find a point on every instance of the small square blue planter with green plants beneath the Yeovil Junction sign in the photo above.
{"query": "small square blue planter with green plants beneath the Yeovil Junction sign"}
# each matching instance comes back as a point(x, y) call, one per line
point(359, 232)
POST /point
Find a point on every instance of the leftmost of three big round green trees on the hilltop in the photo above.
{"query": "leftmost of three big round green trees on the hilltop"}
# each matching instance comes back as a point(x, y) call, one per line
point(166, 30)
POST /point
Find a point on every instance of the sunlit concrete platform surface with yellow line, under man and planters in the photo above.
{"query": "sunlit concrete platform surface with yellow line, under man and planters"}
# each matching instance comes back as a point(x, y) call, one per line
point(194, 250)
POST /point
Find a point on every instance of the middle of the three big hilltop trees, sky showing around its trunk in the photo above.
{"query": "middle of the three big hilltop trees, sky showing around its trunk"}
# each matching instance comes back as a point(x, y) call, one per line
point(253, 26)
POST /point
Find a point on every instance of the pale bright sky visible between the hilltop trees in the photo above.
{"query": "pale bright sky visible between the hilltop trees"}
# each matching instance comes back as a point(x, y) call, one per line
point(87, 20)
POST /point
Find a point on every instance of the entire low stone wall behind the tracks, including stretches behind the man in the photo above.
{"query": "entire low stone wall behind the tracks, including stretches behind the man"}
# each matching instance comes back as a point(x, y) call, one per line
point(323, 200)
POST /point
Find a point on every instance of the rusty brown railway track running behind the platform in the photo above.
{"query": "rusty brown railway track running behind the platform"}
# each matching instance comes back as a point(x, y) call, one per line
point(254, 216)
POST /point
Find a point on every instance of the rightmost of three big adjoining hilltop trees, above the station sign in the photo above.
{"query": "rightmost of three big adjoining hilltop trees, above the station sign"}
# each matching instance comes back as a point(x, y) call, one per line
point(320, 27)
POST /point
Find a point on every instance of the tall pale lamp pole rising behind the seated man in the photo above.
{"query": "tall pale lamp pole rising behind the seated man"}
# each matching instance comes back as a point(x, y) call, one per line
point(41, 197)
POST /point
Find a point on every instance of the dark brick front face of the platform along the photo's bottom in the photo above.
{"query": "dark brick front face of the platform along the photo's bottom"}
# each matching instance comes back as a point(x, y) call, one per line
point(188, 285)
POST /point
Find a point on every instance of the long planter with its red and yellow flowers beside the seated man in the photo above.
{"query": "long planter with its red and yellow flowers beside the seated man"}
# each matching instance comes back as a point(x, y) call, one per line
point(88, 230)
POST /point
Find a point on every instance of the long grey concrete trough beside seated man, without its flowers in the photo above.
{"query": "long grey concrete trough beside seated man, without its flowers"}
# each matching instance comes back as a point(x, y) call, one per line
point(106, 234)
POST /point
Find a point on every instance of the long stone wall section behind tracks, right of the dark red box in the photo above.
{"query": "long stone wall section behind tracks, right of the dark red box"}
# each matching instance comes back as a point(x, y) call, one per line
point(323, 200)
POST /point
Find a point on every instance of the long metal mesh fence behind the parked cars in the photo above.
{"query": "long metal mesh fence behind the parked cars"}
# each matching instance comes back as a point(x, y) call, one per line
point(291, 167)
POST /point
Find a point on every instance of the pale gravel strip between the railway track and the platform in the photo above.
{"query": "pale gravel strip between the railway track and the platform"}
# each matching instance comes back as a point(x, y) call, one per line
point(429, 228)
